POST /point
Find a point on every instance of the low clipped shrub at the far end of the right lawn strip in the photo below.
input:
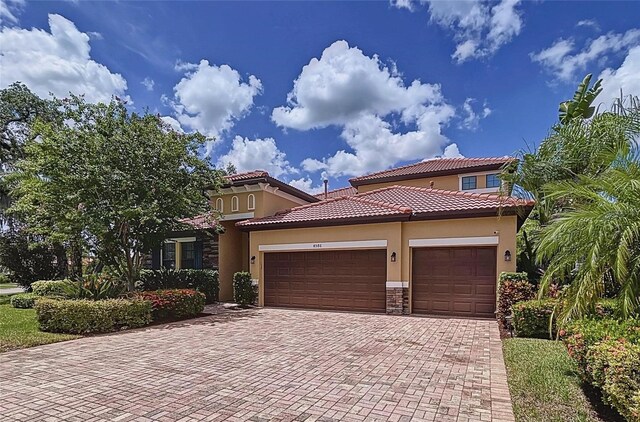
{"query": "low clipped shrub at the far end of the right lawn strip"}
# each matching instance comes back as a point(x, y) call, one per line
point(531, 318)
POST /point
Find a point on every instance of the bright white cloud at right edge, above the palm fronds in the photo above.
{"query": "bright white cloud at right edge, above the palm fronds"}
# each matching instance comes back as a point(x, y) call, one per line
point(625, 78)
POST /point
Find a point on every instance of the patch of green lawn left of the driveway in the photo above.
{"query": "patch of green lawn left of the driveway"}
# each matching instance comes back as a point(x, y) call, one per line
point(19, 328)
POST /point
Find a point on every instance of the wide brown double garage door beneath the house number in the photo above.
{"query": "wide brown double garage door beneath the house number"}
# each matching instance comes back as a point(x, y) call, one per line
point(337, 280)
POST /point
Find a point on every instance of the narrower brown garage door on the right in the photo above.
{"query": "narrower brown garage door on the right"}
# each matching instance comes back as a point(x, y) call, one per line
point(454, 281)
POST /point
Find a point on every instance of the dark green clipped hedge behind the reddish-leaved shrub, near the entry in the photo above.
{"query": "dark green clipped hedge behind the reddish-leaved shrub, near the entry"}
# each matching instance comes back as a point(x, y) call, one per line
point(204, 281)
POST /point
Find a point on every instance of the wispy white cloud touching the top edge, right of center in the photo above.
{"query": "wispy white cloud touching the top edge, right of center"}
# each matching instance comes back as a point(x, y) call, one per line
point(480, 28)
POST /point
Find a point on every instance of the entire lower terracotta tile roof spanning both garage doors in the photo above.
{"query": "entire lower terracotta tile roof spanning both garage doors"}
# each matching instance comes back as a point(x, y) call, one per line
point(392, 203)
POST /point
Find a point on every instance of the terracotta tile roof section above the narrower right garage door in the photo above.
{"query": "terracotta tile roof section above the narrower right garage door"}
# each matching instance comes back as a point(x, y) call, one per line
point(425, 200)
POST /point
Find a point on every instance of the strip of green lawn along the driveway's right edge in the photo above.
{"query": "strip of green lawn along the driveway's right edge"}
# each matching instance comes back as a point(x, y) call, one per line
point(543, 382)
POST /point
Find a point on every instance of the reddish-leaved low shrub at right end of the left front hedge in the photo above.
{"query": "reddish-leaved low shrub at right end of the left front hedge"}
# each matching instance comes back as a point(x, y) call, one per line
point(174, 304)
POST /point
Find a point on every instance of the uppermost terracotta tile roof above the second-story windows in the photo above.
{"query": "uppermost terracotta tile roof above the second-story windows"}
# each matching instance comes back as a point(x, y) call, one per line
point(435, 166)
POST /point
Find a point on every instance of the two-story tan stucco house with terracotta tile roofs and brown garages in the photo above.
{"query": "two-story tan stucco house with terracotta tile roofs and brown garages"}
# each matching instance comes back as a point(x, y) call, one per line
point(428, 238)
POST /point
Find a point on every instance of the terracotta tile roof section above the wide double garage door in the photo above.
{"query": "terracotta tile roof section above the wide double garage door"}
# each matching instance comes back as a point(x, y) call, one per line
point(331, 210)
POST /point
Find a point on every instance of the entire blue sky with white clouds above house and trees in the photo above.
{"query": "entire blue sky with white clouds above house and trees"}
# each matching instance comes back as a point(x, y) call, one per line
point(391, 83)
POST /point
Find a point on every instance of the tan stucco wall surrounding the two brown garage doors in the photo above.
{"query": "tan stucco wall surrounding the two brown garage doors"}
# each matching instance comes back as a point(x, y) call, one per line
point(397, 235)
